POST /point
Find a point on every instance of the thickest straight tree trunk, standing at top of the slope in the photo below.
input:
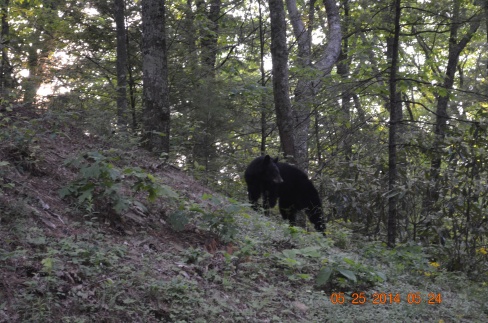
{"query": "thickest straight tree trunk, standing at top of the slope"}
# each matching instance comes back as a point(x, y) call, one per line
point(156, 115)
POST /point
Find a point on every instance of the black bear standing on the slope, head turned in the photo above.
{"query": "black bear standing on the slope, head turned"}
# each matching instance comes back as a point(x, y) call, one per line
point(271, 180)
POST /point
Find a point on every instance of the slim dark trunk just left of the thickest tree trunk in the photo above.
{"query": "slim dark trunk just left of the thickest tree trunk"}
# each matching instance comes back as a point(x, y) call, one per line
point(122, 117)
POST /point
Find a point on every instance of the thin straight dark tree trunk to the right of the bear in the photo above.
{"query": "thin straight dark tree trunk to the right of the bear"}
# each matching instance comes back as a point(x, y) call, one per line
point(395, 120)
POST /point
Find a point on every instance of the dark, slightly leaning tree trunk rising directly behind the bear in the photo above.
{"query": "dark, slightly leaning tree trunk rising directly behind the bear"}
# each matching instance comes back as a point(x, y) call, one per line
point(281, 87)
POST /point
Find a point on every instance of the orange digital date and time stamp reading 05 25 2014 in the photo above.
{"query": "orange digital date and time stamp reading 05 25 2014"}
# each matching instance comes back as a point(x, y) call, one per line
point(360, 298)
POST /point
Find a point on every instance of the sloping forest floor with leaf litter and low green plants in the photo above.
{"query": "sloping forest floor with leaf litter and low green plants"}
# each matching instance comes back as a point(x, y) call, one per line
point(135, 240)
